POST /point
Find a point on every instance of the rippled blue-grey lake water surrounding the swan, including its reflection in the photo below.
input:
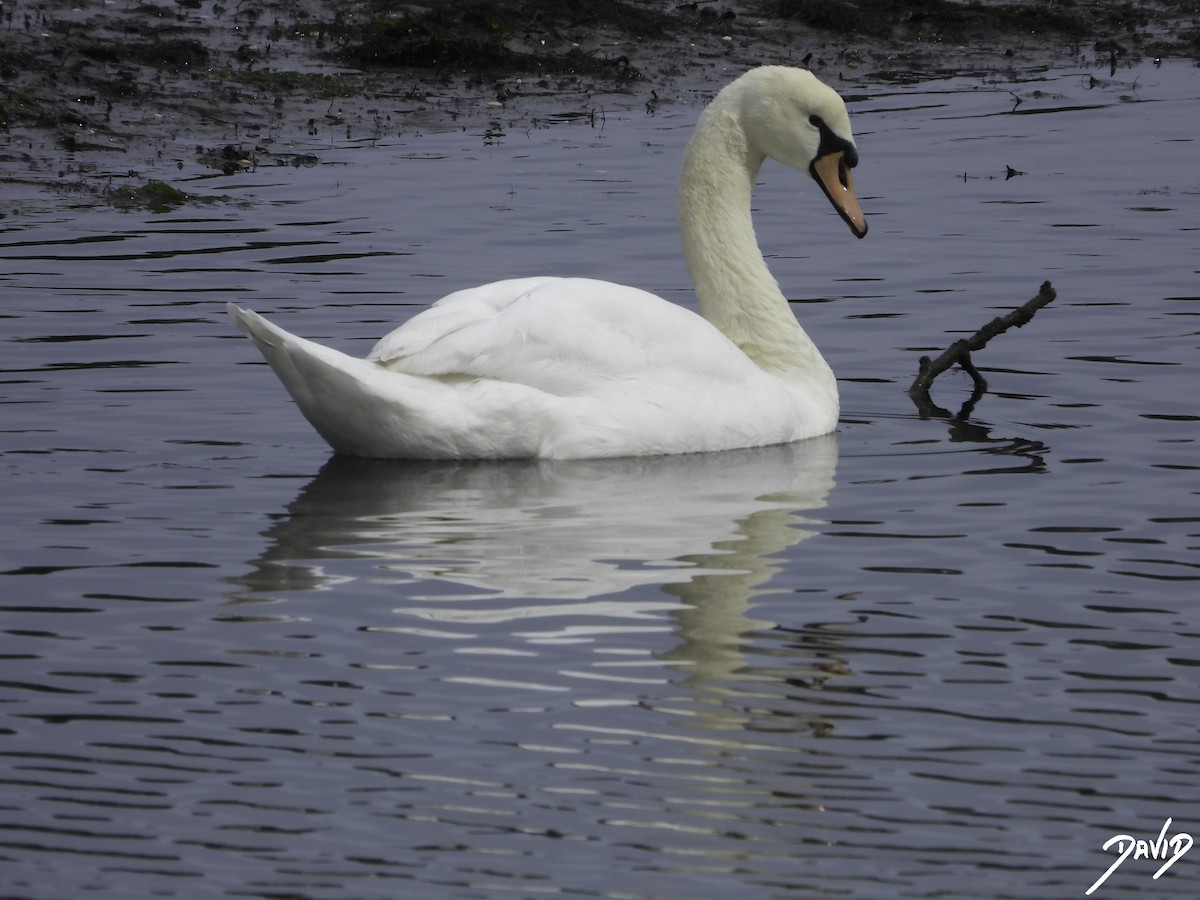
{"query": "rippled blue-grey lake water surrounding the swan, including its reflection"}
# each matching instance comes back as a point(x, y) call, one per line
point(926, 657)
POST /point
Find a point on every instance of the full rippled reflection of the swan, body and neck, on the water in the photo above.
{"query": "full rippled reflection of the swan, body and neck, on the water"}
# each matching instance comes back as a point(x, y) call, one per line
point(621, 555)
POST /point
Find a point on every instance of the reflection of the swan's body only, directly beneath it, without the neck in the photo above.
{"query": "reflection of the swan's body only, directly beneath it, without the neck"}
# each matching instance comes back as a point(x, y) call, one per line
point(549, 530)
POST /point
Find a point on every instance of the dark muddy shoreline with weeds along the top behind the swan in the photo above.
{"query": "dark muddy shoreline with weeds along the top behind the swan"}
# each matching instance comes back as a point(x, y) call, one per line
point(133, 104)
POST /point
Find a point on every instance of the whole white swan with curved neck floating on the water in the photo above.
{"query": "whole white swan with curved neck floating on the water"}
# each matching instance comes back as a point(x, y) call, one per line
point(574, 368)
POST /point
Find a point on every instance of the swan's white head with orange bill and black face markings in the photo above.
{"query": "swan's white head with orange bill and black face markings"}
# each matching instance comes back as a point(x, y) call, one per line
point(799, 121)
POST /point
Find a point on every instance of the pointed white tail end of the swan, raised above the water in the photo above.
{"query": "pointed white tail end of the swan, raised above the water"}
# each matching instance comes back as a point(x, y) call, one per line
point(341, 397)
